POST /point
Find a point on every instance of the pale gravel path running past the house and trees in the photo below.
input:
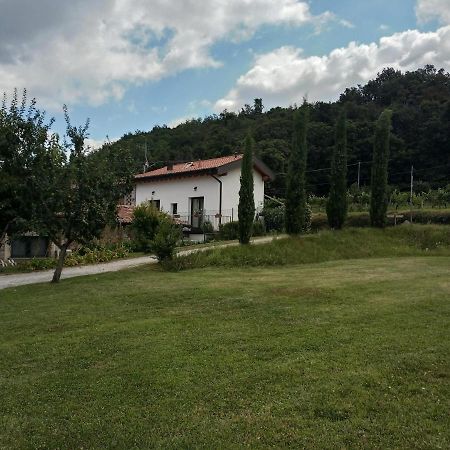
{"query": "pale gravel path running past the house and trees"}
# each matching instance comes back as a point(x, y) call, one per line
point(45, 276)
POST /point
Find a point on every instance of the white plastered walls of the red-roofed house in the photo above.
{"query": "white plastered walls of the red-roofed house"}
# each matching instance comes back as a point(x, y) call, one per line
point(180, 190)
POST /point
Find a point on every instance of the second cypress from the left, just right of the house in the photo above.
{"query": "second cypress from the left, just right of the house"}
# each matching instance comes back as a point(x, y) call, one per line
point(295, 214)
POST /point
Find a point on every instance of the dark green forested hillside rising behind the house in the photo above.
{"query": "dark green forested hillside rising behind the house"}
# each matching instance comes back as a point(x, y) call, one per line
point(420, 101)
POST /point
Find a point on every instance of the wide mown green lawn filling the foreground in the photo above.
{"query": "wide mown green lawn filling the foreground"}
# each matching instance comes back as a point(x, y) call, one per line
point(344, 354)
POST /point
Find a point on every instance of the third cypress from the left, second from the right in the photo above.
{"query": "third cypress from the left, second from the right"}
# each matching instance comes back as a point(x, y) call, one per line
point(337, 200)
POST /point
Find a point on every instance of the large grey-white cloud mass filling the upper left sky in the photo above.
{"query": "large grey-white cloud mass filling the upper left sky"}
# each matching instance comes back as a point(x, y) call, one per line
point(92, 50)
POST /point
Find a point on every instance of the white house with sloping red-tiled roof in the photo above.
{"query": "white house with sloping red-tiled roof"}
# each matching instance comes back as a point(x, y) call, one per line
point(201, 191)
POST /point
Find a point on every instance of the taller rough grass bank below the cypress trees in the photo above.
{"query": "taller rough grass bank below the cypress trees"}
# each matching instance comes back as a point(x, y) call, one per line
point(328, 245)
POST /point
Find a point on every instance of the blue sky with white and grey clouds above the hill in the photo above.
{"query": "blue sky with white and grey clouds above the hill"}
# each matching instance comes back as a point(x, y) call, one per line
point(129, 65)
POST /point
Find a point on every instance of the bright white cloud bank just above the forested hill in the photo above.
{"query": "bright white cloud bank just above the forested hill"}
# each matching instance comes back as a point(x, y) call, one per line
point(284, 76)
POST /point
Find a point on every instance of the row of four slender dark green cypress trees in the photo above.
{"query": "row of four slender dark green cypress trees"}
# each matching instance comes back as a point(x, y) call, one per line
point(296, 200)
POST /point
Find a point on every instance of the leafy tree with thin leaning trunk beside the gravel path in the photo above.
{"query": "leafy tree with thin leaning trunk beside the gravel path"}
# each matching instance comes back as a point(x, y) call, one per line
point(76, 196)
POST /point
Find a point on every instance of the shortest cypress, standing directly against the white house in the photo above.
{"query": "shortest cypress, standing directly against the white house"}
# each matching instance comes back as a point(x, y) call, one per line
point(246, 208)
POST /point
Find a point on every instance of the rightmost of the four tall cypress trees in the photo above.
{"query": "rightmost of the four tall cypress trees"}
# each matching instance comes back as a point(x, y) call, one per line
point(379, 199)
